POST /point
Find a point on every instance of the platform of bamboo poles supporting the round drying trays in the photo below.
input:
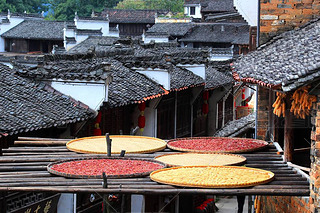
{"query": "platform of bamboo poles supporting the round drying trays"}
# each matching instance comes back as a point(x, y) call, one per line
point(23, 169)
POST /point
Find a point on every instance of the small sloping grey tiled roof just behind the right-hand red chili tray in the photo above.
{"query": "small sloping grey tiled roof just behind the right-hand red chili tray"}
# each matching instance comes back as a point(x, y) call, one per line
point(237, 127)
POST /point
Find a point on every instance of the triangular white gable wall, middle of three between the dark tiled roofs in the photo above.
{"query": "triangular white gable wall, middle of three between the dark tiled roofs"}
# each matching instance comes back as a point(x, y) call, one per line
point(158, 75)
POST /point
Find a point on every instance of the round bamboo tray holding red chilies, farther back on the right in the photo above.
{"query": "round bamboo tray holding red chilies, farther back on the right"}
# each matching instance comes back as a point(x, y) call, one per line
point(216, 144)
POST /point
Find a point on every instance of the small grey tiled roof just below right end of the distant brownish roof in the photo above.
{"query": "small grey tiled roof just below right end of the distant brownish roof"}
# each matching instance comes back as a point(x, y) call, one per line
point(172, 29)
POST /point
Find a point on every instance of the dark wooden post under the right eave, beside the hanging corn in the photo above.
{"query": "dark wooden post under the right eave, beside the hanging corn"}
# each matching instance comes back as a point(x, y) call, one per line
point(288, 132)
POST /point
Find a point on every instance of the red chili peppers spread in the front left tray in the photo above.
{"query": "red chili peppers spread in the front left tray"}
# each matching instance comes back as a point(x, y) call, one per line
point(109, 166)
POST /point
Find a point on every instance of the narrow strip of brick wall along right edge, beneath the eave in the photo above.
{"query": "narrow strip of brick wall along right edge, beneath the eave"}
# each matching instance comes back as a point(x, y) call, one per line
point(315, 158)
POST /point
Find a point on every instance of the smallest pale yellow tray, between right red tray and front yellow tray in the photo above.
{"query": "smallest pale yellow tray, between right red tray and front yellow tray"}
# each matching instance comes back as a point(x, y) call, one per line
point(201, 159)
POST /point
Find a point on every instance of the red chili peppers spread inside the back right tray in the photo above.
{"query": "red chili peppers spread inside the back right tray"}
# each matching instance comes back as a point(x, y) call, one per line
point(217, 144)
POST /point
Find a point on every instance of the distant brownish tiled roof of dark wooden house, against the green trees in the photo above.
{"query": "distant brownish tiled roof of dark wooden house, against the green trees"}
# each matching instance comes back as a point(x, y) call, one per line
point(130, 16)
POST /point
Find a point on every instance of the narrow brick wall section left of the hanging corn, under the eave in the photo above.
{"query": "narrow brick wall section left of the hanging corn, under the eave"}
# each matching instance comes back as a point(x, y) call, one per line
point(263, 103)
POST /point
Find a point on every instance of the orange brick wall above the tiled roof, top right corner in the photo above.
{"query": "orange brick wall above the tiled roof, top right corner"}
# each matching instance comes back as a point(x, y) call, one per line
point(277, 16)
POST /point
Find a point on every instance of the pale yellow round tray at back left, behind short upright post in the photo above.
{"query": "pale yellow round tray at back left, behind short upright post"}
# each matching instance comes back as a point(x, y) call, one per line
point(131, 144)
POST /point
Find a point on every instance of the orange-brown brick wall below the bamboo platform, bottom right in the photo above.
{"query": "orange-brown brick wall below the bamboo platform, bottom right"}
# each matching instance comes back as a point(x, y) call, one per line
point(284, 204)
